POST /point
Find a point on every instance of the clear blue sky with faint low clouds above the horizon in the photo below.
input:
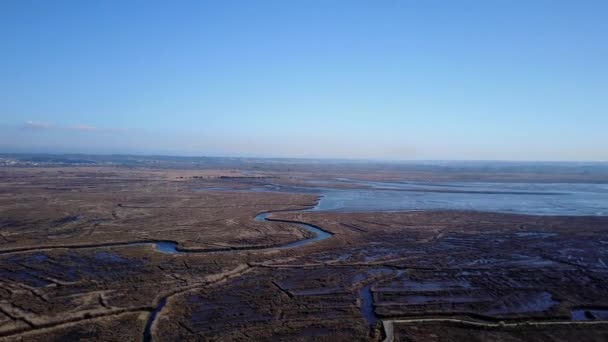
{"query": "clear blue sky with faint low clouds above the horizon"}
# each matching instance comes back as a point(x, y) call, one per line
point(515, 80)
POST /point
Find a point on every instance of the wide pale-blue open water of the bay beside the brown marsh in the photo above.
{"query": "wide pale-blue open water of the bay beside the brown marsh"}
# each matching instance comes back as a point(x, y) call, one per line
point(522, 198)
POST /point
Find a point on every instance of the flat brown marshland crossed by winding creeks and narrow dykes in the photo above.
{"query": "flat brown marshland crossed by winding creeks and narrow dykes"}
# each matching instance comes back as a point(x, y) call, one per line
point(140, 254)
